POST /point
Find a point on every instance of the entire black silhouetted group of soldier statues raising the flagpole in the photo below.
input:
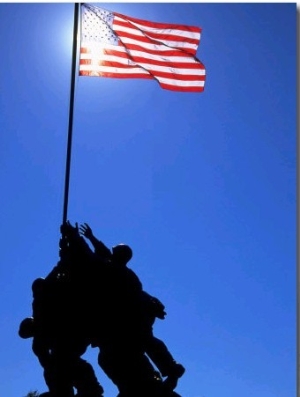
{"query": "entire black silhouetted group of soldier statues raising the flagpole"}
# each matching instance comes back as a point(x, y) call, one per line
point(91, 298)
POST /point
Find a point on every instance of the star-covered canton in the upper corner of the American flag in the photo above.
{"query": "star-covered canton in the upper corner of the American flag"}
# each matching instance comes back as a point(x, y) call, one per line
point(97, 26)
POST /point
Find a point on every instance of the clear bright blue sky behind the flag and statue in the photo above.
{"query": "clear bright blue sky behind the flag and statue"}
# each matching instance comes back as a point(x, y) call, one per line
point(202, 186)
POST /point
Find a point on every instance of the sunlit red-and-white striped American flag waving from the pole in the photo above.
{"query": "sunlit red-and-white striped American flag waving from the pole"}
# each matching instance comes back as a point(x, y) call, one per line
point(114, 45)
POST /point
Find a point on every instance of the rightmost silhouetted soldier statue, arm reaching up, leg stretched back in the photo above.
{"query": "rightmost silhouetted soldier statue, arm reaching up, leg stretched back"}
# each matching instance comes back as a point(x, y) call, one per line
point(131, 312)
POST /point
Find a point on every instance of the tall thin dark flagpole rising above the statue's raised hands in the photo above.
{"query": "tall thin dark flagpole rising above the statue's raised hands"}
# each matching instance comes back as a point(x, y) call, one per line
point(71, 110)
